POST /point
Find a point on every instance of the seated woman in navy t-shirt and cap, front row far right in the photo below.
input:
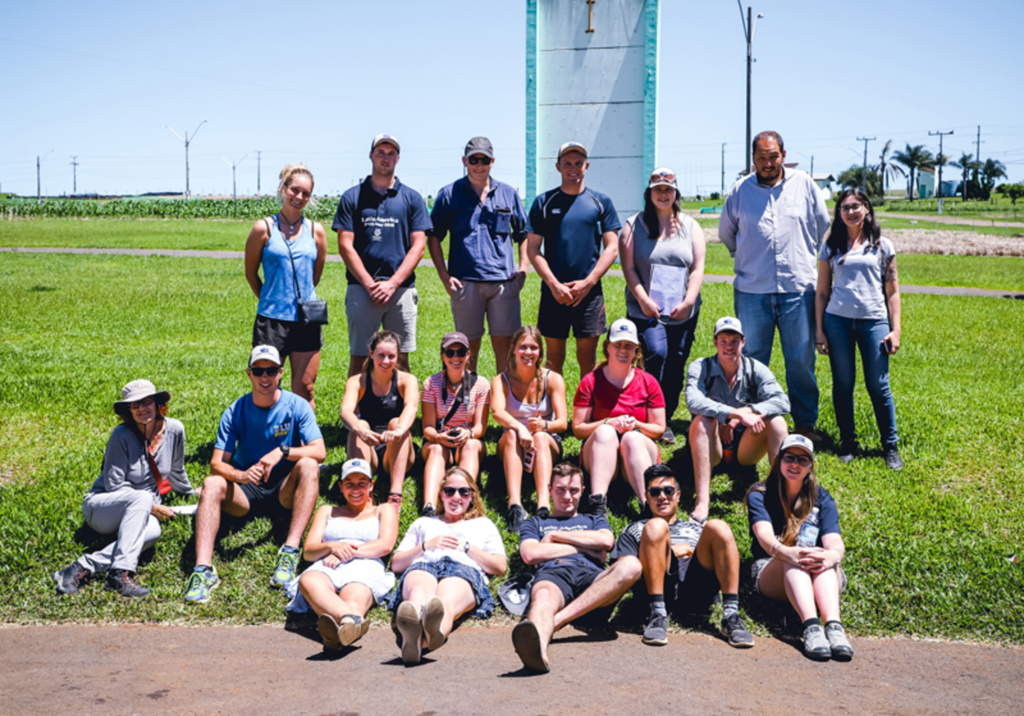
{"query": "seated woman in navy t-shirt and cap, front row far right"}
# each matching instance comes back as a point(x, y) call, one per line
point(798, 549)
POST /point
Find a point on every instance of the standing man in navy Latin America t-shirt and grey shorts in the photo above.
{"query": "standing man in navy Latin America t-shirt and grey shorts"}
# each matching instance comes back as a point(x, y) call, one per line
point(381, 226)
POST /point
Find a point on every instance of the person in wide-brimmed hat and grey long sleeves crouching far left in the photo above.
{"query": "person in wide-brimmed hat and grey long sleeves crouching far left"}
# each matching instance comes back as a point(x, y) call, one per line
point(145, 459)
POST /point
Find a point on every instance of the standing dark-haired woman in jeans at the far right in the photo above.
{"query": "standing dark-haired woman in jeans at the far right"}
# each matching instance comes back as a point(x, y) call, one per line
point(858, 304)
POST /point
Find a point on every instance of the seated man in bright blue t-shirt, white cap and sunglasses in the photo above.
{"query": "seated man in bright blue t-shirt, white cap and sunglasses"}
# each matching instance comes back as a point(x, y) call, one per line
point(266, 461)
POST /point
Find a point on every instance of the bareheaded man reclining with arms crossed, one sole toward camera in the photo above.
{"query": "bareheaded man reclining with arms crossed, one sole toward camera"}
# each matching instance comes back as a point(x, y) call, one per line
point(569, 552)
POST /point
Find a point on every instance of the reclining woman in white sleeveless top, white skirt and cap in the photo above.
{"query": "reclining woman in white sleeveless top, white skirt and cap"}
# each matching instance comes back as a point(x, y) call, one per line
point(349, 544)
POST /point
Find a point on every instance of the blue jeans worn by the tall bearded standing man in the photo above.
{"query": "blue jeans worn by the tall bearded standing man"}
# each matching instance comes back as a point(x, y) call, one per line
point(794, 315)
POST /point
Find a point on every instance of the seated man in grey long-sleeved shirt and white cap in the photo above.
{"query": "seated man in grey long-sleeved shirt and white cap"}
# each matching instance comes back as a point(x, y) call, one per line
point(729, 394)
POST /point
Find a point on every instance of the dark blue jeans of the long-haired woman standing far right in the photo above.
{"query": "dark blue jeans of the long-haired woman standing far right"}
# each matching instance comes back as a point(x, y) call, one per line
point(868, 335)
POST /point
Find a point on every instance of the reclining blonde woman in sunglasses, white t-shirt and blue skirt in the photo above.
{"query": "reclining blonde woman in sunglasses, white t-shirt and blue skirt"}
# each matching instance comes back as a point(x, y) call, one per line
point(446, 561)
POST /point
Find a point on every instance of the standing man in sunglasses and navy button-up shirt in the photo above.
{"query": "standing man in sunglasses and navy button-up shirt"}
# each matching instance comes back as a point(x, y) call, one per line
point(486, 220)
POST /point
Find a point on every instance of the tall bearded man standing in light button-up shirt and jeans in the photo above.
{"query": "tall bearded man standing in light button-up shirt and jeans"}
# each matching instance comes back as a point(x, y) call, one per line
point(774, 223)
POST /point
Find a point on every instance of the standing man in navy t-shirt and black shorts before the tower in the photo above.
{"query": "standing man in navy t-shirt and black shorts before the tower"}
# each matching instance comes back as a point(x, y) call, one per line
point(579, 229)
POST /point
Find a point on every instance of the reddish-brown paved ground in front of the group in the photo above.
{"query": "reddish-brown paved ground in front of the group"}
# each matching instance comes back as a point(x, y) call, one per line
point(268, 670)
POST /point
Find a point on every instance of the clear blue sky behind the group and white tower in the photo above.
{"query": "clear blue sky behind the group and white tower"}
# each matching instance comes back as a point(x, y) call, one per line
point(314, 82)
